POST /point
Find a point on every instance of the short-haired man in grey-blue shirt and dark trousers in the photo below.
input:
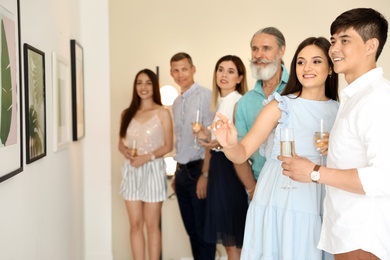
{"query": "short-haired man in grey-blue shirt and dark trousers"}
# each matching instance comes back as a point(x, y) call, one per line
point(190, 183)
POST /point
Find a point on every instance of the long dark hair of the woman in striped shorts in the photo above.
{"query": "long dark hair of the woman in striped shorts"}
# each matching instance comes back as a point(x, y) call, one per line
point(129, 112)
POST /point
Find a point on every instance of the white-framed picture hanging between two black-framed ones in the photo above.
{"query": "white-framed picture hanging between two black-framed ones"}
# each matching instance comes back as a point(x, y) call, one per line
point(61, 102)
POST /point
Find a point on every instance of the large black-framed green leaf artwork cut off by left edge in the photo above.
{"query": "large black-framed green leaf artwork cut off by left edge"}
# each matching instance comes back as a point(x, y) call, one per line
point(11, 155)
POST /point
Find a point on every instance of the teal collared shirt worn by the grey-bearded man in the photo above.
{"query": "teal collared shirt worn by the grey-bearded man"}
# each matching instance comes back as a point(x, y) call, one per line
point(248, 107)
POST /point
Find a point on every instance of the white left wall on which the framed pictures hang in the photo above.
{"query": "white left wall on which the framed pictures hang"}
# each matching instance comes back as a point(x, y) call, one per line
point(59, 207)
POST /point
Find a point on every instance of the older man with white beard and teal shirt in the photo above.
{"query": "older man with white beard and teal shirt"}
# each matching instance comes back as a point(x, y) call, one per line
point(267, 46)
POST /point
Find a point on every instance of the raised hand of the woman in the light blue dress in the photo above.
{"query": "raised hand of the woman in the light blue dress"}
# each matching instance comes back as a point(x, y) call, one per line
point(225, 131)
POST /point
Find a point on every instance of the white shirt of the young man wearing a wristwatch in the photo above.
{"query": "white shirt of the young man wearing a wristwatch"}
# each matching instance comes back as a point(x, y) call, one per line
point(360, 138)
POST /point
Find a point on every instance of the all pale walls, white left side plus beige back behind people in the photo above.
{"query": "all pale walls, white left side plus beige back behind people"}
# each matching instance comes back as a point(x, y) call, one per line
point(66, 206)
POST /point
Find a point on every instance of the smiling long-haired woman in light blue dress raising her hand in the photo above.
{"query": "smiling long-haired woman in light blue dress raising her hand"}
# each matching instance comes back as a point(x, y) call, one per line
point(286, 223)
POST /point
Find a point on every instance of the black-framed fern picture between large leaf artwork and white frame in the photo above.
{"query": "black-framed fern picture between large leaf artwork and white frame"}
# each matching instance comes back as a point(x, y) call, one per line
point(35, 103)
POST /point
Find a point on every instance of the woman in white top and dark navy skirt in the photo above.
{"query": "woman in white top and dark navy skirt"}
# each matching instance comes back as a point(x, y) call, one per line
point(226, 201)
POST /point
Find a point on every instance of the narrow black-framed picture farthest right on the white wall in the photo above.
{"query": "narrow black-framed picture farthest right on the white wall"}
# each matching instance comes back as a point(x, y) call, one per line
point(77, 72)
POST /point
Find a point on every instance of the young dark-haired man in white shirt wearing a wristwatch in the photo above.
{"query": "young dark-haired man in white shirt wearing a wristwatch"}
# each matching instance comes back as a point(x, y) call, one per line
point(357, 177)
